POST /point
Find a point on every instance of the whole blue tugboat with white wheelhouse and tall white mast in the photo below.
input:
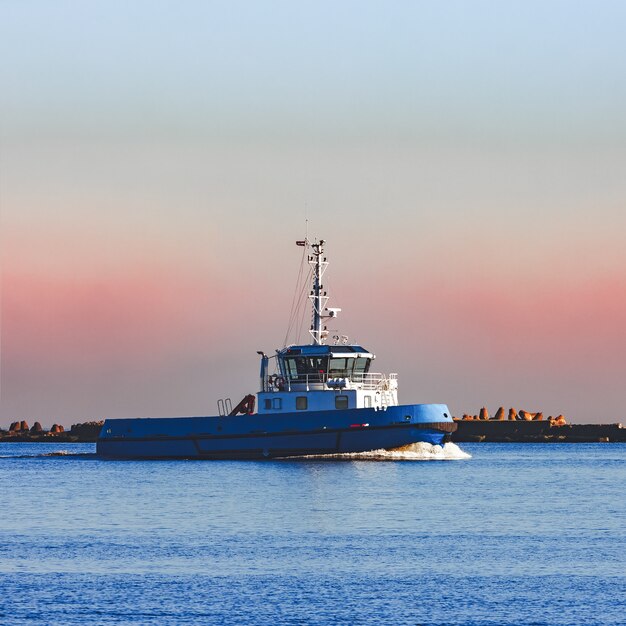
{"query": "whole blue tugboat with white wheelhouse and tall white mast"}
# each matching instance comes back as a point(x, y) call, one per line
point(321, 399)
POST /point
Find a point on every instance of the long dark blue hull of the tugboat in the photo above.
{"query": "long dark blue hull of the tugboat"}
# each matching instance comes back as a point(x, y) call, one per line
point(275, 435)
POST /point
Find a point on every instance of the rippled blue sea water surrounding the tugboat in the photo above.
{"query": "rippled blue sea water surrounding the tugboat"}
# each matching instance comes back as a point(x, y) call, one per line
point(518, 534)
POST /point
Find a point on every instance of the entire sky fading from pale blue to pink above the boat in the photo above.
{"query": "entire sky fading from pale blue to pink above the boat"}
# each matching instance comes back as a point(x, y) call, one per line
point(465, 161)
